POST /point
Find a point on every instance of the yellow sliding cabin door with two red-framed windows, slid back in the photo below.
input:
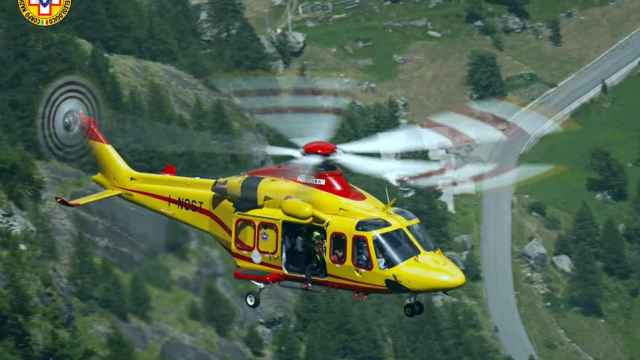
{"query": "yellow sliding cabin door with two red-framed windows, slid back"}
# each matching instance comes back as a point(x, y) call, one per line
point(257, 239)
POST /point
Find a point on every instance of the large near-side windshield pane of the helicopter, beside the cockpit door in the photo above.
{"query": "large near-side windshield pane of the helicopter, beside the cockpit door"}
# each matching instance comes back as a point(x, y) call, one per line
point(393, 248)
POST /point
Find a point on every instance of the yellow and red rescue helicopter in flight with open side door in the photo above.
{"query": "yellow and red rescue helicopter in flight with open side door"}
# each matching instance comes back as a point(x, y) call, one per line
point(286, 224)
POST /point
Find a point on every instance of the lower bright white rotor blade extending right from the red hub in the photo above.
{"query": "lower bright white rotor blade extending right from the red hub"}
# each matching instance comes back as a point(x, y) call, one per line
point(388, 169)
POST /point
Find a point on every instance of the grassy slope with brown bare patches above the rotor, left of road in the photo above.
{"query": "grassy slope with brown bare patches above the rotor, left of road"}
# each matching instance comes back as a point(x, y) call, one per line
point(433, 80)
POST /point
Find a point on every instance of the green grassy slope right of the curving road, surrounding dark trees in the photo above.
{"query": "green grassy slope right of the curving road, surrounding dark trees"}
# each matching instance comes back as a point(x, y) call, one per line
point(611, 123)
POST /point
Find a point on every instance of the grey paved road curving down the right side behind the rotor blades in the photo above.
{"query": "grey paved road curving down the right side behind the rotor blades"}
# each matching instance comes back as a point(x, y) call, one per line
point(496, 204)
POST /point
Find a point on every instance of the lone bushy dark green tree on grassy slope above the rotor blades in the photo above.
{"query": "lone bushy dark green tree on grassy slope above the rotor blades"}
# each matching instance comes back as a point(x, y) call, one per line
point(484, 75)
